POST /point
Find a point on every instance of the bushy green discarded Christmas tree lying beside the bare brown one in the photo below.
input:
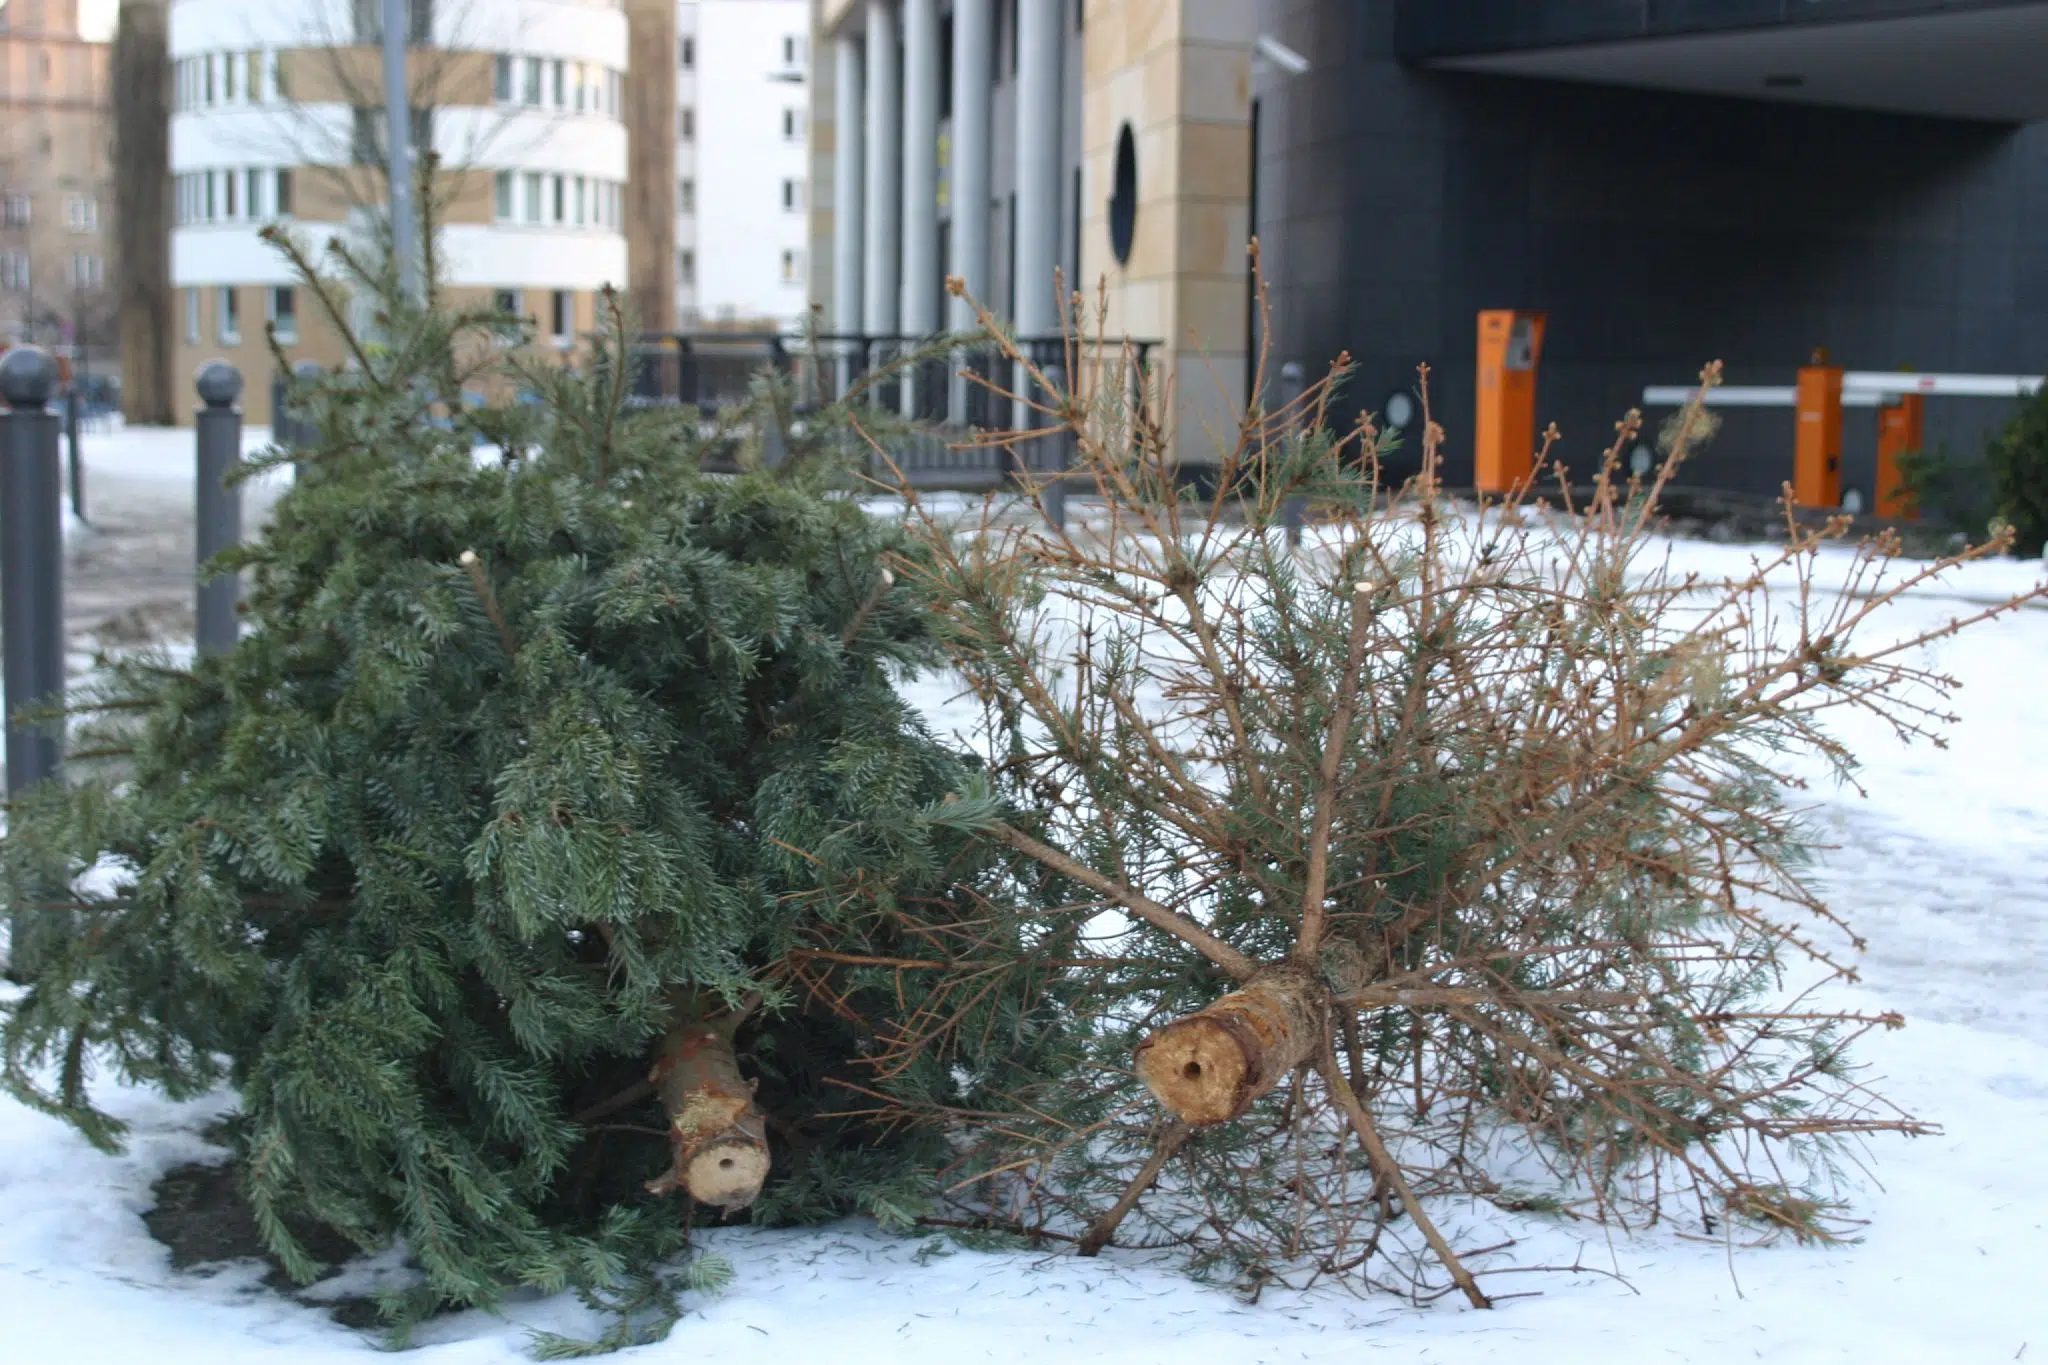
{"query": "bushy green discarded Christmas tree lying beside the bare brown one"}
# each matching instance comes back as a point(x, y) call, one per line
point(542, 848)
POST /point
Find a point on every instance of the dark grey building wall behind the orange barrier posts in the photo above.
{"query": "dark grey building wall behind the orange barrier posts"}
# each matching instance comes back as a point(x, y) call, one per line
point(1656, 230)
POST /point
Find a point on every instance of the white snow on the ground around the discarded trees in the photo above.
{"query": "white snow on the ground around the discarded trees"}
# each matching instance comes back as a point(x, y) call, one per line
point(1945, 869)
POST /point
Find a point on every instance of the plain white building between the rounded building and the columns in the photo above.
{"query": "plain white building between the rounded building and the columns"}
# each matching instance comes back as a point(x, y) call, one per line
point(742, 165)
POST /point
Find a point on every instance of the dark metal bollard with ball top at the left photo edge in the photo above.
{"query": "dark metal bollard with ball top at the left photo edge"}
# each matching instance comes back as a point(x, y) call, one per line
point(32, 562)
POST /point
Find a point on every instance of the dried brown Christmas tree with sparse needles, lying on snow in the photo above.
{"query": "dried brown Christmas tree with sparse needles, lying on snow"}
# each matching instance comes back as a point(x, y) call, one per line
point(1449, 854)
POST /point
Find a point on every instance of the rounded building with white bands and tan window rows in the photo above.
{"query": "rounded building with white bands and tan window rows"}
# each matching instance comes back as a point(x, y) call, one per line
point(278, 120)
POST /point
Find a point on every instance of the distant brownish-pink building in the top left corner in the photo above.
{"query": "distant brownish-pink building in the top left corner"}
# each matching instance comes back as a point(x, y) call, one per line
point(56, 277)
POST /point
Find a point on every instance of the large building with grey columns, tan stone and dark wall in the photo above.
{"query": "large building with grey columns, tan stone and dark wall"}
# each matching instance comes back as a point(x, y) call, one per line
point(1670, 183)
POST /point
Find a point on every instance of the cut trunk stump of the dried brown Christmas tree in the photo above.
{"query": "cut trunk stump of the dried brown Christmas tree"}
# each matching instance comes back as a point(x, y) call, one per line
point(1209, 1067)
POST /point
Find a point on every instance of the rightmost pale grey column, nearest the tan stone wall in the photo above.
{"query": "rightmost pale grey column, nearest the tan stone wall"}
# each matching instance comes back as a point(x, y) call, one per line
point(1039, 122)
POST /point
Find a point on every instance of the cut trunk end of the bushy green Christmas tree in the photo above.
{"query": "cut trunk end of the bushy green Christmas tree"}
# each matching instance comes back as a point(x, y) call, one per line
point(718, 1131)
